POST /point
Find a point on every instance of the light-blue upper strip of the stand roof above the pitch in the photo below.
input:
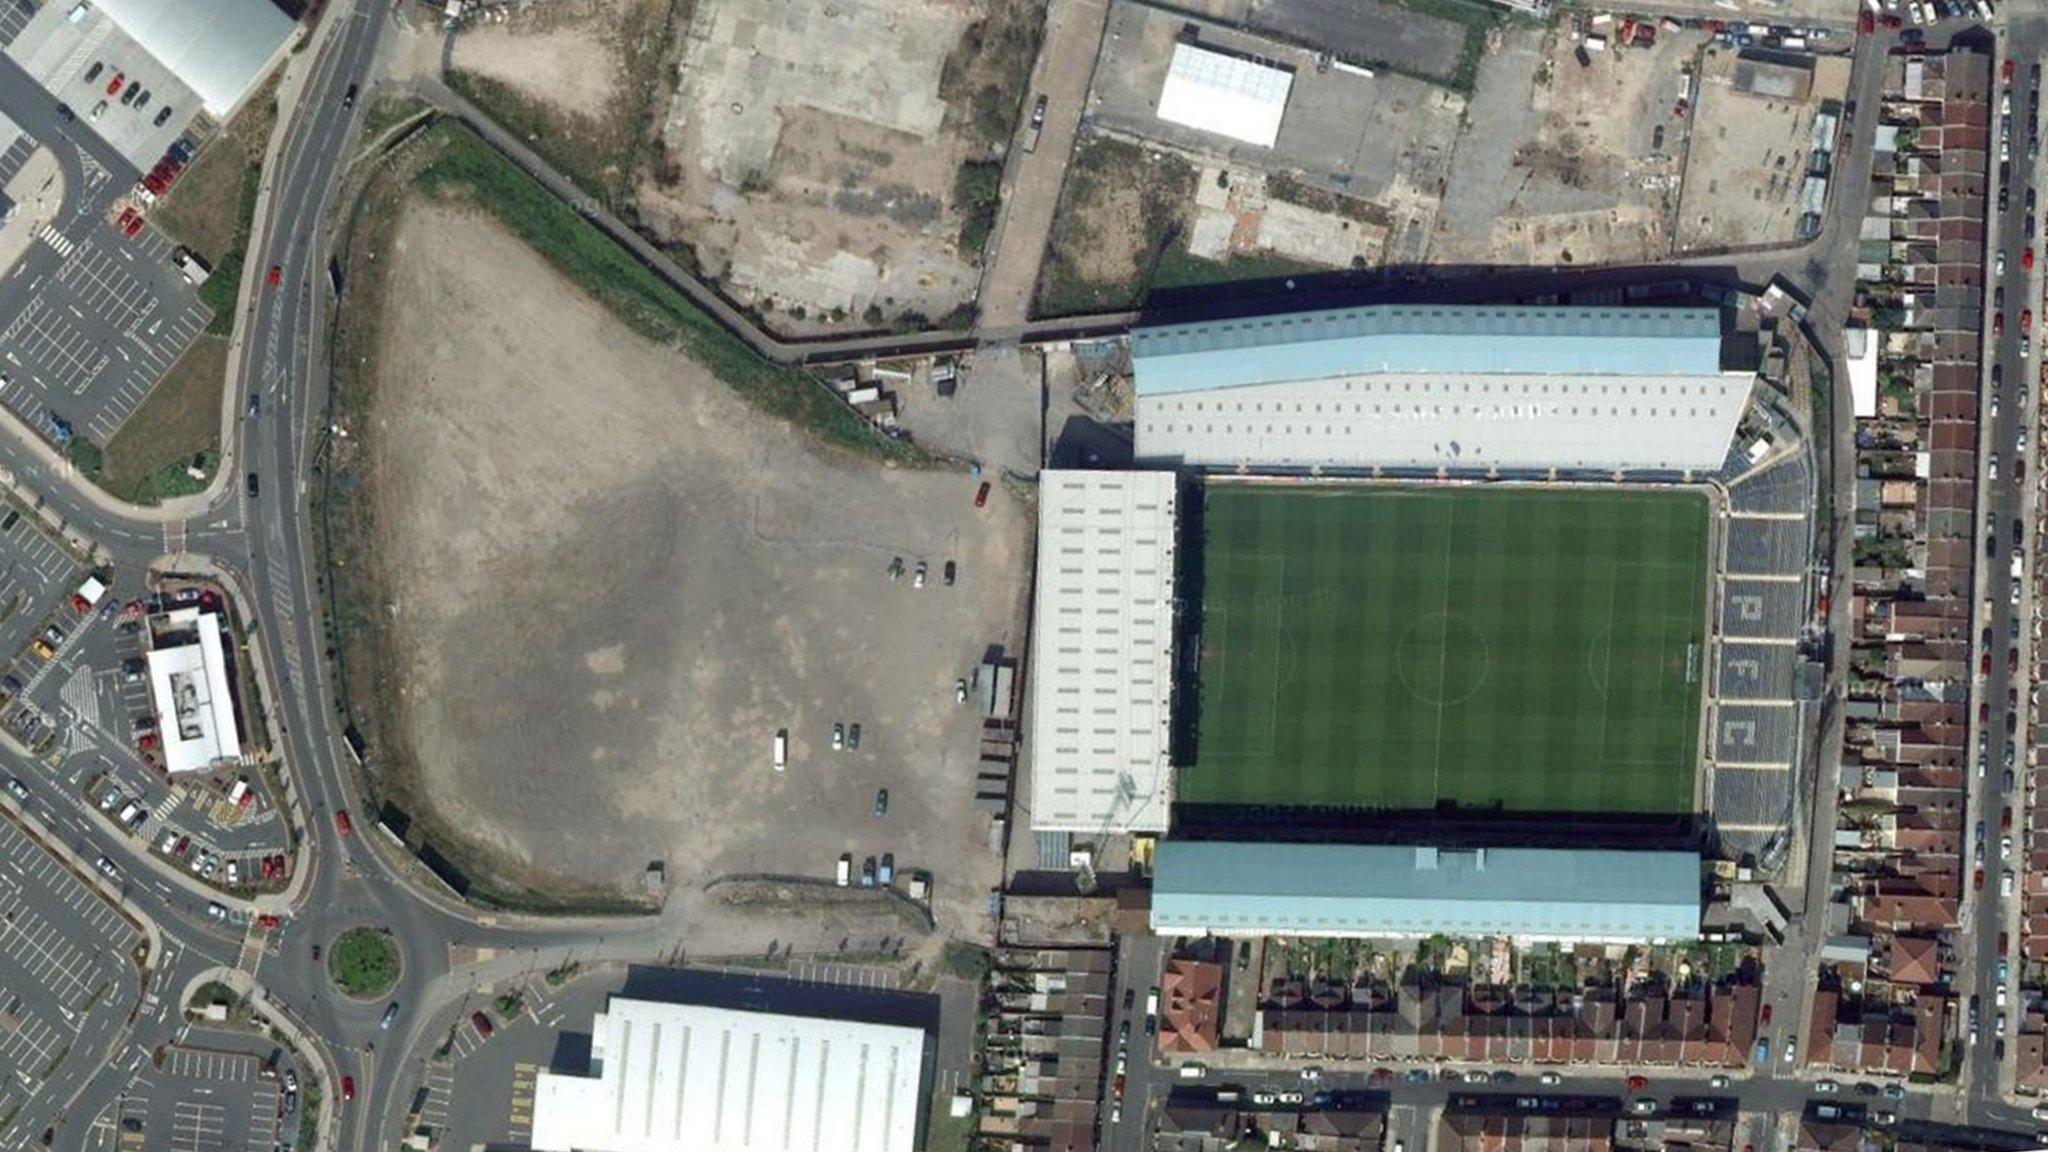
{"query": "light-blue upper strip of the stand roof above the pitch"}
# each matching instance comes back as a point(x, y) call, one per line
point(1439, 339)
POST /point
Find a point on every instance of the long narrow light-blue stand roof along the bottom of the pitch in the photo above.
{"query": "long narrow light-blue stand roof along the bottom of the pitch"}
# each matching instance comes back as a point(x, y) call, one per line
point(1404, 891)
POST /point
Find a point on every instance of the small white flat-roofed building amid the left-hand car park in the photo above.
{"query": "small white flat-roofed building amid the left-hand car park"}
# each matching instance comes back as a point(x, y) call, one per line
point(196, 710)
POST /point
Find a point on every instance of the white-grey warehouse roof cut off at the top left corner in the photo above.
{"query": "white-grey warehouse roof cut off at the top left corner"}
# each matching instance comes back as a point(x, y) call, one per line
point(218, 48)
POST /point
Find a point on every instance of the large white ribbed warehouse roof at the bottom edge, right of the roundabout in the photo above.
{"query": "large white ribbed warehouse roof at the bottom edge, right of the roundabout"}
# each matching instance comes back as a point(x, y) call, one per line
point(699, 1079)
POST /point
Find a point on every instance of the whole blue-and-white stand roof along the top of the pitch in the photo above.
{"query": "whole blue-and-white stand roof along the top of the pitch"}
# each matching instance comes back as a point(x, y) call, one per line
point(1441, 386)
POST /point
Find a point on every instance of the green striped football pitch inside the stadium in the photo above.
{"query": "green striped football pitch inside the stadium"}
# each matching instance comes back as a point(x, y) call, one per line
point(1402, 649)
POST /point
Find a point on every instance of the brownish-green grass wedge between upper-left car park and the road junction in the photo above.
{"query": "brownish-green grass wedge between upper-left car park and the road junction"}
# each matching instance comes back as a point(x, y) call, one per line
point(175, 425)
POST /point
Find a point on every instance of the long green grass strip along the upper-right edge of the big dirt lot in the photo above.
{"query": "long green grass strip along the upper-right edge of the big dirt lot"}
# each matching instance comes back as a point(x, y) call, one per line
point(470, 169)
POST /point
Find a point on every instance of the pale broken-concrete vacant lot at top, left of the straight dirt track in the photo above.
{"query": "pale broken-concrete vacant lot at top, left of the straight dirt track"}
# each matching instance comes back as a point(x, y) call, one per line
point(814, 151)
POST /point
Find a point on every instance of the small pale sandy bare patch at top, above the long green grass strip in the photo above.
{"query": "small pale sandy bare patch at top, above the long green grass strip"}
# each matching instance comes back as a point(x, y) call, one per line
point(558, 56)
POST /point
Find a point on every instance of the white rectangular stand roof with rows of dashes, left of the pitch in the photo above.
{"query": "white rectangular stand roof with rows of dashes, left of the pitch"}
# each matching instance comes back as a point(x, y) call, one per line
point(1103, 653)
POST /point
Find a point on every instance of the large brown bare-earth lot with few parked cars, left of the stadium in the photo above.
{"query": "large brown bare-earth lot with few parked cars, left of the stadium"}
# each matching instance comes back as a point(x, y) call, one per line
point(613, 583)
